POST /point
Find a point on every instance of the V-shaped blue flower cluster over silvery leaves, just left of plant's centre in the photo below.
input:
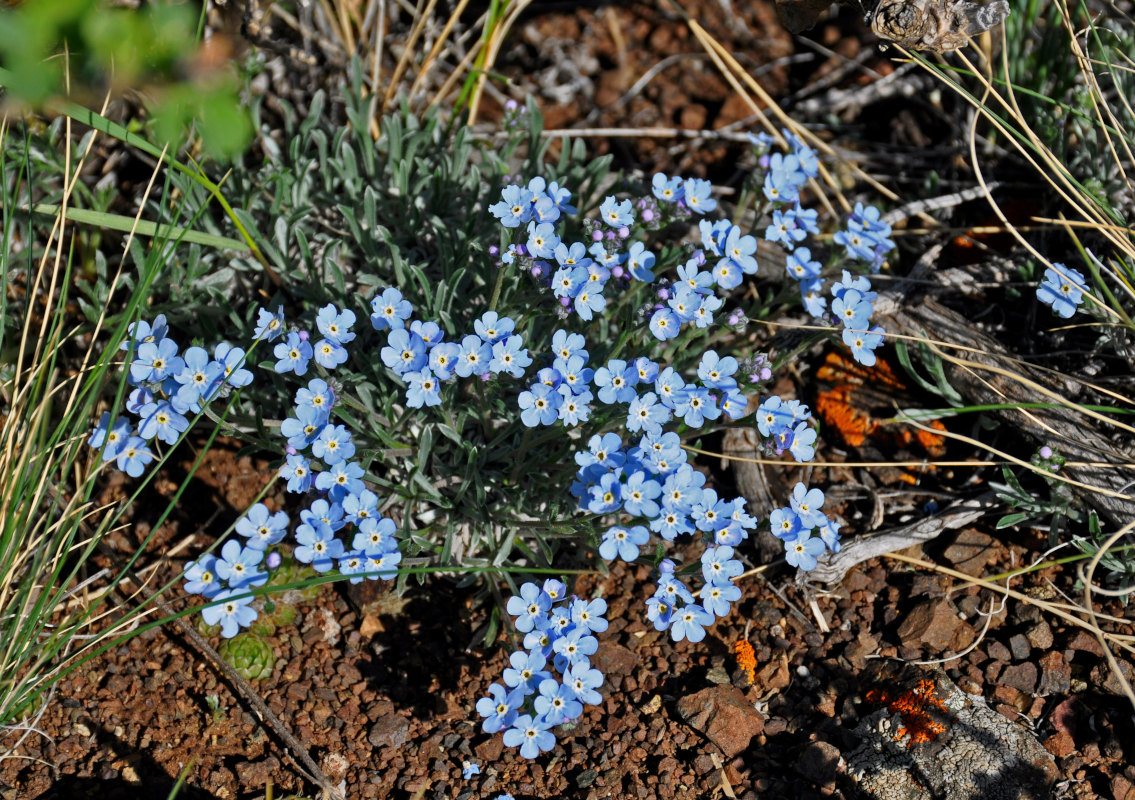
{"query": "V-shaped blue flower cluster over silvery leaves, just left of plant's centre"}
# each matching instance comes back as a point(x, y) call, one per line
point(419, 355)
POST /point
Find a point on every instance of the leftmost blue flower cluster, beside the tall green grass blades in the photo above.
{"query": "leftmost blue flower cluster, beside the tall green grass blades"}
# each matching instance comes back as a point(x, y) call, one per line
point(170, 385)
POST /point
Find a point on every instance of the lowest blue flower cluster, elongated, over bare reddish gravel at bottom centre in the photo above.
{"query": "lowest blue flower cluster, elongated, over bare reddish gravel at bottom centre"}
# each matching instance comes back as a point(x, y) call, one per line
point(533, 702)
